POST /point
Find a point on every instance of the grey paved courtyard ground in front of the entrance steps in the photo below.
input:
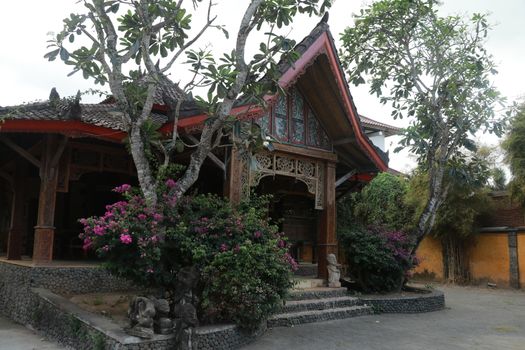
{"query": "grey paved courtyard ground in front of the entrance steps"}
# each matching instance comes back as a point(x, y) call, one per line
point(475, 318)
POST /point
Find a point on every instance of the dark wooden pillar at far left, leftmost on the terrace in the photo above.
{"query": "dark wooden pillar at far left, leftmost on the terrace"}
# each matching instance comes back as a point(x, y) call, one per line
point(17, 229)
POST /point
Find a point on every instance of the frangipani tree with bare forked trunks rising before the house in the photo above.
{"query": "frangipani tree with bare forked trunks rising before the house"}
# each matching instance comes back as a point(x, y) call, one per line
point(136, 45)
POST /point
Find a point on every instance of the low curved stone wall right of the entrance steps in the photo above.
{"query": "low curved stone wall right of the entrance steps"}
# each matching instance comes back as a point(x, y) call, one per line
point(406, 304)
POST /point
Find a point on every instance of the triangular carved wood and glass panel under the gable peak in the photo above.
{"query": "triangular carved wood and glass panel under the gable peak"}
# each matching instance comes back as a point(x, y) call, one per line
point(291, 120)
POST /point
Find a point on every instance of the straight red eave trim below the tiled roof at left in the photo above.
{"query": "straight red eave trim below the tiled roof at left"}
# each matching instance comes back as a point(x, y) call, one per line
point(70, 128)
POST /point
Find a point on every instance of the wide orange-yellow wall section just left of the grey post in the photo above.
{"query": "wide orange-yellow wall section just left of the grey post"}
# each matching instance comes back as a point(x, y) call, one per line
point(489, 258)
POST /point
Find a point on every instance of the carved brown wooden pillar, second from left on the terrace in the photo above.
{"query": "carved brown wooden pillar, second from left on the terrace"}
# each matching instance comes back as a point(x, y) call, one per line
point(45, 230)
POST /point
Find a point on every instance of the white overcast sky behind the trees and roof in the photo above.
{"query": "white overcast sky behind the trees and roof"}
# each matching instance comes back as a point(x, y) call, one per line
point(26, 76)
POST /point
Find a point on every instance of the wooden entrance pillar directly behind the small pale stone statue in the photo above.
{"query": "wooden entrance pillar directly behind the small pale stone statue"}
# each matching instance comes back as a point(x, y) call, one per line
point(327, 242)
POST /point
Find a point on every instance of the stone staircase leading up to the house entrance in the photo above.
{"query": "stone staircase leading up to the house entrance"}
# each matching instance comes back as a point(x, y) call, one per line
point(316, 305)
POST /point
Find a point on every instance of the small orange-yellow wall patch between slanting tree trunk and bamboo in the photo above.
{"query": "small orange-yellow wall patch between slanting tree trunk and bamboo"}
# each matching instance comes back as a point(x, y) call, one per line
point(430, 255)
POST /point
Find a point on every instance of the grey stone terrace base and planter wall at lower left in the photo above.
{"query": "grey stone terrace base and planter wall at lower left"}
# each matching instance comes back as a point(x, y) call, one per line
point(27, 296)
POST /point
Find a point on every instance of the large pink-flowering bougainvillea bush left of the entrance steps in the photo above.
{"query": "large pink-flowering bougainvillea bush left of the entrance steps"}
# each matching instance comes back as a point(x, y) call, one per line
point(244, 262)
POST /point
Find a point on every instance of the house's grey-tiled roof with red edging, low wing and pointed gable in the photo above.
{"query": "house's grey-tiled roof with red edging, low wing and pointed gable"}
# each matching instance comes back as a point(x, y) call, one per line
point(105, 116)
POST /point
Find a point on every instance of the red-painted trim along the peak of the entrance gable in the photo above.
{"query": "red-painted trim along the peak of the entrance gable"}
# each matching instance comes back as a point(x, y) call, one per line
point(320, 44)
